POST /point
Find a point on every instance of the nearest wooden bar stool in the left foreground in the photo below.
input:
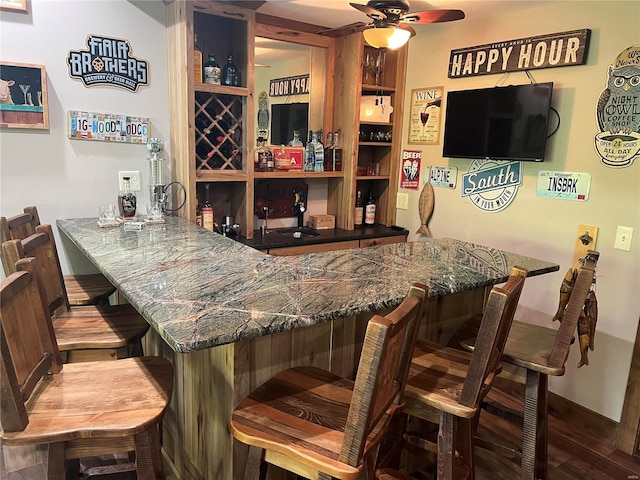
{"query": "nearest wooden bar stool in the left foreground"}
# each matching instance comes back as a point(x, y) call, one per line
point(78, 410)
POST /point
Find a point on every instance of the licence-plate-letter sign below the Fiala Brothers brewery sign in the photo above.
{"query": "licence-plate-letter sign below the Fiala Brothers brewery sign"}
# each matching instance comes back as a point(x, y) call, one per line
point(107, 127)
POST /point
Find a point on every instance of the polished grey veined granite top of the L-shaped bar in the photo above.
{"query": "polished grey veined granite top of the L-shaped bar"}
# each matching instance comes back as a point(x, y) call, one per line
point(198, 289)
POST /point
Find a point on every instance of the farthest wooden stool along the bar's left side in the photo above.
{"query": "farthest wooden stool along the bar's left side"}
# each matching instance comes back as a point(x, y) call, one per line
point(90, 289)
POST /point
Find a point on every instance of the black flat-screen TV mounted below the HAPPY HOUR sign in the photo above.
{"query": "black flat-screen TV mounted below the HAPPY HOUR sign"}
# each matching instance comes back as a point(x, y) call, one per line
point(499, 123)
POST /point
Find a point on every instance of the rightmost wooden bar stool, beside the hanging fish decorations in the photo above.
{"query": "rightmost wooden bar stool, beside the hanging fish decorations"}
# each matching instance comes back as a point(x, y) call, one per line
point(543, 351)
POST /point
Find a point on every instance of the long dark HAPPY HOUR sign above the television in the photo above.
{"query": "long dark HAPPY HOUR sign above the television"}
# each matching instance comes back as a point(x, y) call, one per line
point(528, 53)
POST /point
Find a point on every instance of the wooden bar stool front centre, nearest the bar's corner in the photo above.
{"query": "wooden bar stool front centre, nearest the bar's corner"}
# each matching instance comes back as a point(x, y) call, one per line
point(318, 425)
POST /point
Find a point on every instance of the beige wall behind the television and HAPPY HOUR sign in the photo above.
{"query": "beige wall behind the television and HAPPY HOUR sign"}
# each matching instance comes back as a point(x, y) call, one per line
point(542, 227)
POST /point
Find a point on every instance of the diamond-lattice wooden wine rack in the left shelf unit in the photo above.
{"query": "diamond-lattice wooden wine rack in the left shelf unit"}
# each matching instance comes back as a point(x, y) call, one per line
point(218, 131)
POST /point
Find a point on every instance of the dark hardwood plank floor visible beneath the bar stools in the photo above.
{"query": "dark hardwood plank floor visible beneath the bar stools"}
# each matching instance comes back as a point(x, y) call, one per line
point(574, 454)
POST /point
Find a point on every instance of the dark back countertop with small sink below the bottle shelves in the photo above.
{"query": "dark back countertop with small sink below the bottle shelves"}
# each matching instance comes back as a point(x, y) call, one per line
point(283, 237)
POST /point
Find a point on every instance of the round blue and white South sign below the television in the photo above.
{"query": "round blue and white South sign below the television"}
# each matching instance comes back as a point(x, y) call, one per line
point(492, 185)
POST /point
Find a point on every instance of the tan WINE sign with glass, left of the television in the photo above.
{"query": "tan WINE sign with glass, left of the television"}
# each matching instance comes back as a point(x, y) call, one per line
point(426, 108)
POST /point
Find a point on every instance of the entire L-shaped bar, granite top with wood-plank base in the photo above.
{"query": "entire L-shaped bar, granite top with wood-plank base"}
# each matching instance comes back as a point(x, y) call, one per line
point(230, 317)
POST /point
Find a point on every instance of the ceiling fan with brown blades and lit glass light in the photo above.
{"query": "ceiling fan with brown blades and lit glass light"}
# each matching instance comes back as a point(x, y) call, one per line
point(391, 21)
